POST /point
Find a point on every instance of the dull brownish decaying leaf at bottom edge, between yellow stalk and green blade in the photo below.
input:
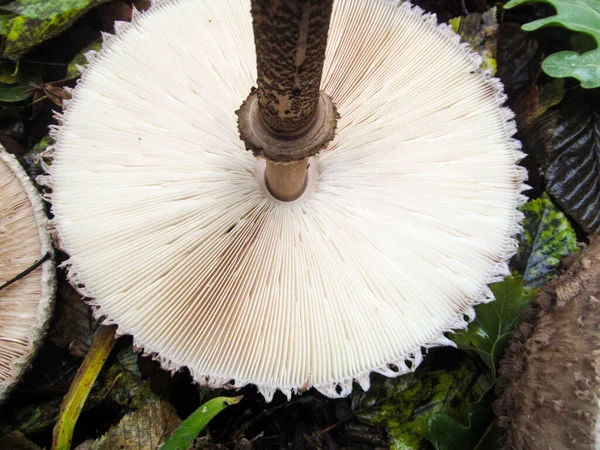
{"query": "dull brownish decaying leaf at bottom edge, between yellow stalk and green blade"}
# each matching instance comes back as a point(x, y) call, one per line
point(145, 428)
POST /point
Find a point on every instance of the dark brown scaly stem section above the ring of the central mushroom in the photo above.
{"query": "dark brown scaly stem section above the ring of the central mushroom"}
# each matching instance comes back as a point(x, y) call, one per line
point(290, 38)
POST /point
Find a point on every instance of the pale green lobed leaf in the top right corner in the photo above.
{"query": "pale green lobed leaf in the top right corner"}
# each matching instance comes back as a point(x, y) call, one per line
point(576, 15)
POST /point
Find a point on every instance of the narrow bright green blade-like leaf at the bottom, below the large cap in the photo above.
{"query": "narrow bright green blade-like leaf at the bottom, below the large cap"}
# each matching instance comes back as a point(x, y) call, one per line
point(184, 435)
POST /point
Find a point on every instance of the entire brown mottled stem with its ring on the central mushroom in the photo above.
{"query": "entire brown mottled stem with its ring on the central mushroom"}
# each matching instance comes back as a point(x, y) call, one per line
point(287, 119)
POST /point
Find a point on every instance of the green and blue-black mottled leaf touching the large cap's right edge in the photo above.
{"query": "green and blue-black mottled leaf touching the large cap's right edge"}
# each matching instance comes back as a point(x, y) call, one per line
point(546, 238)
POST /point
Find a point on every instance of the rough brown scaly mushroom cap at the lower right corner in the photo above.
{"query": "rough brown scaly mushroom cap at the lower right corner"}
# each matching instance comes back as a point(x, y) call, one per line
point(549, 382)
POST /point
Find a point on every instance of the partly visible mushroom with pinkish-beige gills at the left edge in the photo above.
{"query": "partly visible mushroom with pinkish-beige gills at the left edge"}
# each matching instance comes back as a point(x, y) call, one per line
point(27, 277)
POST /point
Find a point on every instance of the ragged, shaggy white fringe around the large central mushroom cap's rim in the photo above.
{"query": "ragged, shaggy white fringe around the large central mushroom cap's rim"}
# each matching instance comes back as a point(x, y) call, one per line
point(410, 361)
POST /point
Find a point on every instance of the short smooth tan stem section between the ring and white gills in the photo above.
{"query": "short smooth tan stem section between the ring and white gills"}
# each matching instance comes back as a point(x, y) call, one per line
point(286, 182)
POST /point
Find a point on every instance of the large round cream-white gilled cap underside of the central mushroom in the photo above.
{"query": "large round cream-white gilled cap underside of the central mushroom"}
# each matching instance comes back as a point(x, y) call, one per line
point(408, 214)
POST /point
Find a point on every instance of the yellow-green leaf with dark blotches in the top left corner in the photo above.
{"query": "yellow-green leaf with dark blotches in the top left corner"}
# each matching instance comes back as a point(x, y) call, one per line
point(33, 21)
